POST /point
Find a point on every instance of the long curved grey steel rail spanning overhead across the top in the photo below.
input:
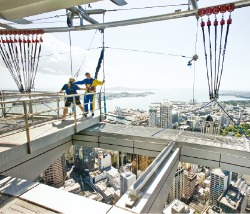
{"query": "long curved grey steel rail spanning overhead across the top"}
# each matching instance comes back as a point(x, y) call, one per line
point(143, 20)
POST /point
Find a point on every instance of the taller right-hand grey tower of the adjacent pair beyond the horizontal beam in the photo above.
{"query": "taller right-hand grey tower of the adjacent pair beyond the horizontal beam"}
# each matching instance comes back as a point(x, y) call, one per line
point(166, 115)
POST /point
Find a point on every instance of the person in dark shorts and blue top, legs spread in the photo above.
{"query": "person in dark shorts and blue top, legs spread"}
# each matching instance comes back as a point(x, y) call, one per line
point(69, 89)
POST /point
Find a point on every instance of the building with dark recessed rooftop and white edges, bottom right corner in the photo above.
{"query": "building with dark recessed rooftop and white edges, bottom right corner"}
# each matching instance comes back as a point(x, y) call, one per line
point(232, 201)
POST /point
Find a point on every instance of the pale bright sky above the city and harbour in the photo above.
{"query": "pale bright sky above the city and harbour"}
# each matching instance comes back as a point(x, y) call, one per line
point(138, 69)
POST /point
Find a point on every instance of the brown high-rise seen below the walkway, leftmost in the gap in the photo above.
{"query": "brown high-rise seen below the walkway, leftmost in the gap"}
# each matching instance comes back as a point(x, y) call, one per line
point(55, 175)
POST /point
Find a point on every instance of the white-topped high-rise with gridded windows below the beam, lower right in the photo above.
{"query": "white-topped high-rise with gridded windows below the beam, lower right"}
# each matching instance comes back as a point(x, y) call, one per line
point(218, 185)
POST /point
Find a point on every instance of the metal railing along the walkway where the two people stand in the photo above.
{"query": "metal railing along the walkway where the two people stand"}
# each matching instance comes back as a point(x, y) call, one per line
point(24, 110)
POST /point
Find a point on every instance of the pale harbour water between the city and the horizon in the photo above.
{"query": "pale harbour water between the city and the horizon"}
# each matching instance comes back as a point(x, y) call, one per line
point(143, 103)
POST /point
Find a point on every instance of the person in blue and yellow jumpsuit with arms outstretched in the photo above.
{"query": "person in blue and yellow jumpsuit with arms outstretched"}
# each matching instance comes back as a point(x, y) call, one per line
point(90, 84)
